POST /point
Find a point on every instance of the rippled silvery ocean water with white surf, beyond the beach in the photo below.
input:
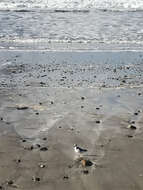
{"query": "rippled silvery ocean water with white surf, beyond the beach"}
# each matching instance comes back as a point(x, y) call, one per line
point(71, 24)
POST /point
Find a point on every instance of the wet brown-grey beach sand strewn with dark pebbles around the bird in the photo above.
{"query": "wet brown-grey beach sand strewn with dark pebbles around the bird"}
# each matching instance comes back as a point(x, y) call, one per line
point(41, 120)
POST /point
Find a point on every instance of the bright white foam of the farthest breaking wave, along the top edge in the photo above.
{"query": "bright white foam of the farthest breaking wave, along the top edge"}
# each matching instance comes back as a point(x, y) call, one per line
point(72, 4)
